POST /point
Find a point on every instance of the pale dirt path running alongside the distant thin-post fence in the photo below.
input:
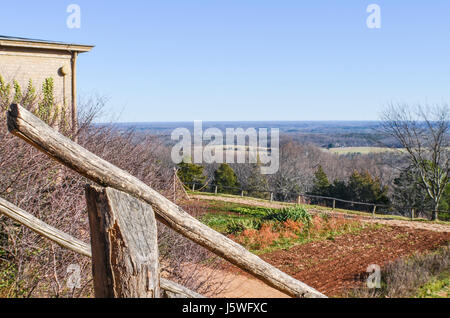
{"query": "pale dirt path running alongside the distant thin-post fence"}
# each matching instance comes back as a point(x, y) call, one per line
point(277, 205)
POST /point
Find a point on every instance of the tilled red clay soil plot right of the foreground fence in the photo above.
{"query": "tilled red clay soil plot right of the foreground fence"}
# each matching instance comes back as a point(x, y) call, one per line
point(334, 267)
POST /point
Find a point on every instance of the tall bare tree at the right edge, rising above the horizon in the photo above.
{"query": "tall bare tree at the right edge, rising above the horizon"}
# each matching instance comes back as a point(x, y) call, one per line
point(423, 133)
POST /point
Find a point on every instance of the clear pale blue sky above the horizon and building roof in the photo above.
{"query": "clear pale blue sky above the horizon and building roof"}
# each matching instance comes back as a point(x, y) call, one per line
point(249, 59)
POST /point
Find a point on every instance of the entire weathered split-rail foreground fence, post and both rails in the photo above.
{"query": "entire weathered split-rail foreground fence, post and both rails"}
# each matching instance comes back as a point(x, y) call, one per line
point(122, 216)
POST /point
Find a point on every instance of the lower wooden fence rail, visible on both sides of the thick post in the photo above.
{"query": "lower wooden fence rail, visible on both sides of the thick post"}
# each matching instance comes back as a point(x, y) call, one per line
point(169, 289)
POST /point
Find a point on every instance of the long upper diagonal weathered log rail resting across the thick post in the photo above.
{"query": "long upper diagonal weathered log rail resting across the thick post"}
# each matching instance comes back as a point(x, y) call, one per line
point(25, 125)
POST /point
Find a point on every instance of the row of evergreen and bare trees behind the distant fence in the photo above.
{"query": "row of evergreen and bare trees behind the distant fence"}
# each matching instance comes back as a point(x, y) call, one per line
point(413, 177)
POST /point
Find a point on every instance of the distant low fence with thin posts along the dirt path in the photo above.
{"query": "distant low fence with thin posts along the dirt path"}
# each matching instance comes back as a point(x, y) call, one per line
point(311, 199)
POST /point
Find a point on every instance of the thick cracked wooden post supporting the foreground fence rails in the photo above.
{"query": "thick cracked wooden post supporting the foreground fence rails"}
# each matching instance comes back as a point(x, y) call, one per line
point(125, 261)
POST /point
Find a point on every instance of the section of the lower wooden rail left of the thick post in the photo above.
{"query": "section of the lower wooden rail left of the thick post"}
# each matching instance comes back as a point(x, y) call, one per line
point(42, 228)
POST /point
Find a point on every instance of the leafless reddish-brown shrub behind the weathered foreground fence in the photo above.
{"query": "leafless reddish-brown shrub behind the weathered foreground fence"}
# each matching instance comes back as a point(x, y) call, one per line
point(31, 266)
